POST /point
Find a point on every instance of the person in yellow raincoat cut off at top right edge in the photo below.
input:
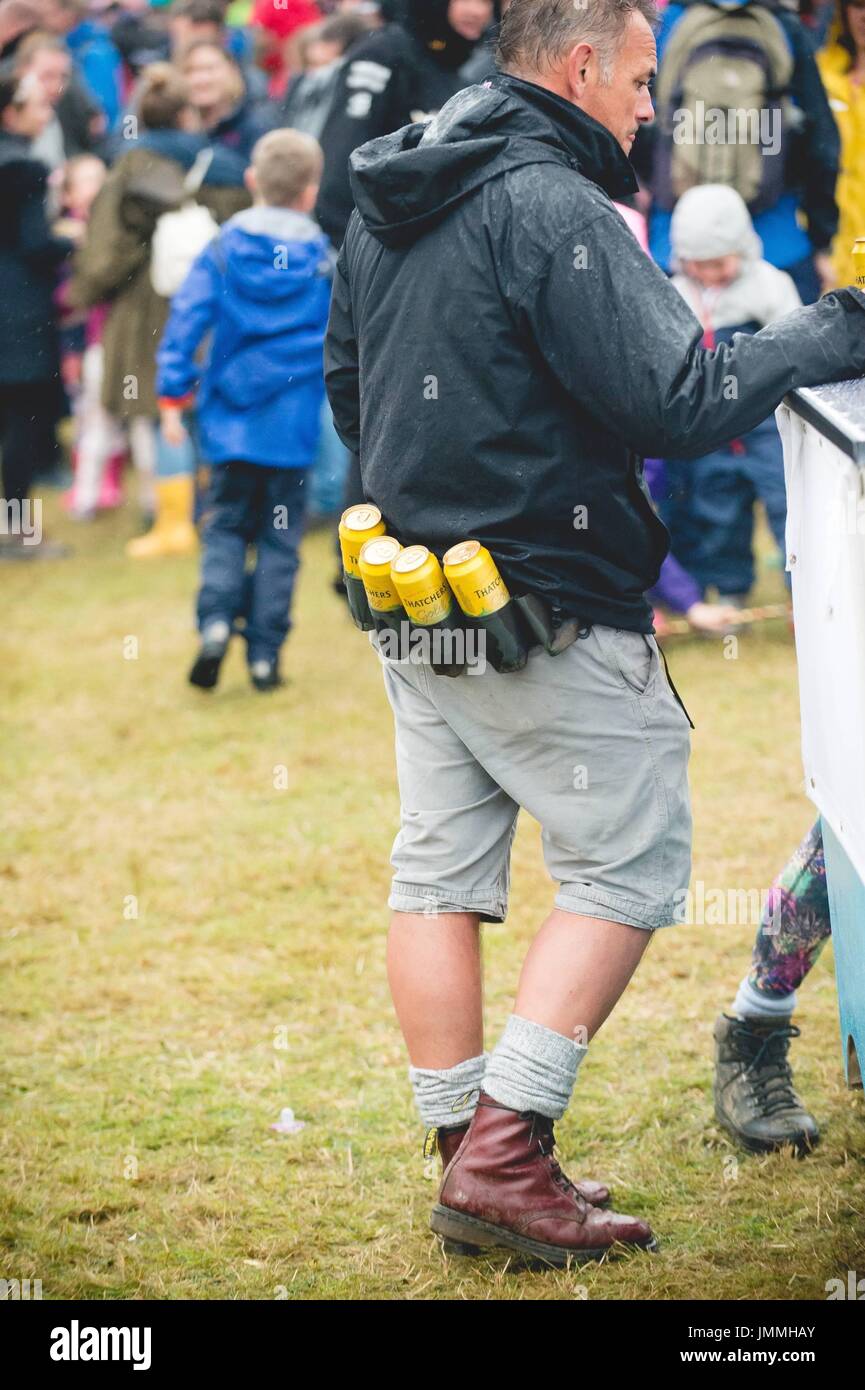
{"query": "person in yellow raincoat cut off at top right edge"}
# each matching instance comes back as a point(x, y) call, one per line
point(842, 66)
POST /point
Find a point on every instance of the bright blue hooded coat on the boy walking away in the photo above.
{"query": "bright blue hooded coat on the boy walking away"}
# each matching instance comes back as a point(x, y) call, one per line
point(262, 290)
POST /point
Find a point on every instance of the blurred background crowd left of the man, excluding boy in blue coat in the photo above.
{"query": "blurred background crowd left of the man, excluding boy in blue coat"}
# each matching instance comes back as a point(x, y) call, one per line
point(105, 112)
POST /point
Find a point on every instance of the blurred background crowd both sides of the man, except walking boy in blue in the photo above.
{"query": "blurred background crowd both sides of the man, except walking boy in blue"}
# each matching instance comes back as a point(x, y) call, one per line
point(106, 108)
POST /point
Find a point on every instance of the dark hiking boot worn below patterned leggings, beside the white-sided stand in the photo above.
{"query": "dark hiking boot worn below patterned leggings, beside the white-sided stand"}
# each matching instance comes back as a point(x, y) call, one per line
point(754, 1097)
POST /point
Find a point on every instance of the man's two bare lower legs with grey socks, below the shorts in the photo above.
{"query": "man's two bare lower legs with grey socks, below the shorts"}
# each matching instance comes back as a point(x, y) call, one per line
point(574, 975)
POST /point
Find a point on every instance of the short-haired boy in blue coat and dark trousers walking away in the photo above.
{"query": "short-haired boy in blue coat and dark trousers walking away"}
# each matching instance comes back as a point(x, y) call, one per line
point(262, 293)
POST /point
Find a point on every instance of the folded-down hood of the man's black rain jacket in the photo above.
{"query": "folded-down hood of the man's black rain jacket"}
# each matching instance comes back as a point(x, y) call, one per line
point(405, 183)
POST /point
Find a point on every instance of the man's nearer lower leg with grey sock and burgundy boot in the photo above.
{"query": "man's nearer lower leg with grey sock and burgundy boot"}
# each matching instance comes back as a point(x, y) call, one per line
point(504, 1185)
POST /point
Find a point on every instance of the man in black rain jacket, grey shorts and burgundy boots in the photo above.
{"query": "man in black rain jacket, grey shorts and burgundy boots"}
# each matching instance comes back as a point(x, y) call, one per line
point(503, 355)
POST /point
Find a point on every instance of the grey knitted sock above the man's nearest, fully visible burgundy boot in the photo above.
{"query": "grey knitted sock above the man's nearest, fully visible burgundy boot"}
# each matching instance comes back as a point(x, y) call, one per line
point(533, 1068)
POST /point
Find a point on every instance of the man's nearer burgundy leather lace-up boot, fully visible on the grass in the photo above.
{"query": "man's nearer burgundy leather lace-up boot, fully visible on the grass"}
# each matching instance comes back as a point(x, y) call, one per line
point(506, 1188)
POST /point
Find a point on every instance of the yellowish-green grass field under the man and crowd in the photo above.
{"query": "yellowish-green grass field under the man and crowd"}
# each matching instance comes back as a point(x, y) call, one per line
point(193, 938)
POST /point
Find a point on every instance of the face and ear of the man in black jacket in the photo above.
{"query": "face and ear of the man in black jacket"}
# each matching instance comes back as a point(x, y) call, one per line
point(624, 104)
